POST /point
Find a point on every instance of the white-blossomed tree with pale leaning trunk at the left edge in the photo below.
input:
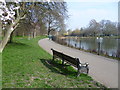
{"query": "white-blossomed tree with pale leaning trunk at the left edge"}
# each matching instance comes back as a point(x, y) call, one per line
point(10, 16)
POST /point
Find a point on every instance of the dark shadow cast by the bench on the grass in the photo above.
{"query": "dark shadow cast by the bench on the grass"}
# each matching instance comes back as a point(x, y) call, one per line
point(57, 67)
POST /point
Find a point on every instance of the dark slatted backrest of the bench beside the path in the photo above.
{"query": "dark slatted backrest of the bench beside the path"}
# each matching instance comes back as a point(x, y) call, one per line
point(74, 61)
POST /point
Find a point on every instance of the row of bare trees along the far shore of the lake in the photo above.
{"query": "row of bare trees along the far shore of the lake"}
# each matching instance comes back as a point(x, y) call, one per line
point(102, 28)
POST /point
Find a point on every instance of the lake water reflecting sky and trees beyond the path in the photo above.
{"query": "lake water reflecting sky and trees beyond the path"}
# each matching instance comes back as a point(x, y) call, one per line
point(108, 45)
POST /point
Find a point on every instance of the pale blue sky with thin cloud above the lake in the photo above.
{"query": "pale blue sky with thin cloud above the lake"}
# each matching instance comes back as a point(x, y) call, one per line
point(82, 12)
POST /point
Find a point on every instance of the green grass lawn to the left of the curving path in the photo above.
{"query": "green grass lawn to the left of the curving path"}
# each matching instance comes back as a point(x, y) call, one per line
point(25, 64)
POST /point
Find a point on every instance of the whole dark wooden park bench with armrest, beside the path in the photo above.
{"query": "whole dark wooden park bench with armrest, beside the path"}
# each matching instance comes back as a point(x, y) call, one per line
point(72, 61)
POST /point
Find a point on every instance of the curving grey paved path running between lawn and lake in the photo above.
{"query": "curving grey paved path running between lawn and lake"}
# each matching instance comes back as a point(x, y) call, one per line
point(103, 70)
